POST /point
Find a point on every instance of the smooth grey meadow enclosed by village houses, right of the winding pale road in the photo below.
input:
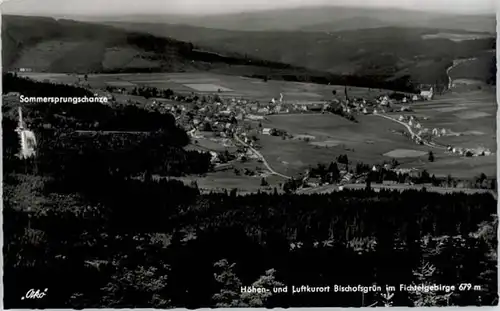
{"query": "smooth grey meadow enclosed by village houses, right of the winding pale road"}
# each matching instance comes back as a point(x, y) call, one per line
point(366, 141)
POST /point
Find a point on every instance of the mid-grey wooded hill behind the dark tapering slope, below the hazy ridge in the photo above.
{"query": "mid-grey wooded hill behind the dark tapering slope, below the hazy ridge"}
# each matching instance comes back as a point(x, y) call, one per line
point(381, 51)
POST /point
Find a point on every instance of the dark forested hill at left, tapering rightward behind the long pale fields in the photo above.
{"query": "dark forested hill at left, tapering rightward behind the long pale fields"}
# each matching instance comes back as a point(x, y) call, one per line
point(48, 45)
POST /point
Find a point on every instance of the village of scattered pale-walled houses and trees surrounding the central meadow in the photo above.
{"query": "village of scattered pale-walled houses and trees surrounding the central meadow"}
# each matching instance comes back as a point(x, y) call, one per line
point(235, 124)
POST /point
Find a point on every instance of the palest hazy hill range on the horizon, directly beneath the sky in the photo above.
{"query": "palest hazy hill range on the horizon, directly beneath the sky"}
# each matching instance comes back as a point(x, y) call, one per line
point(327, 18)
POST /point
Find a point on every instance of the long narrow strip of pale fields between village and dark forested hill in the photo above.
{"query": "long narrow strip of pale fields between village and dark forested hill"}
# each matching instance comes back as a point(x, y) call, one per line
point(232, 86)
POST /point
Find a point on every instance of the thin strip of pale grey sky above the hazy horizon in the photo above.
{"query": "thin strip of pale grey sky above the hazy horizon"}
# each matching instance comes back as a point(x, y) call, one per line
point(203, 7)
